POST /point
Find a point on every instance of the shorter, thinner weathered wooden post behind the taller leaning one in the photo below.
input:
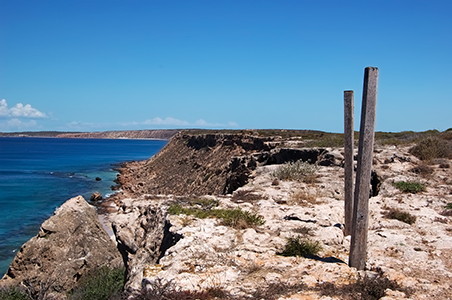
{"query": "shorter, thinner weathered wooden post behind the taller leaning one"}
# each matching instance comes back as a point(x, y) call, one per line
point(348, 166)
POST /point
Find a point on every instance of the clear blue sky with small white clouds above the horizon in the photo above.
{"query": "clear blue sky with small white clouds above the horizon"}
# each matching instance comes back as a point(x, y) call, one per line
point(113, 65)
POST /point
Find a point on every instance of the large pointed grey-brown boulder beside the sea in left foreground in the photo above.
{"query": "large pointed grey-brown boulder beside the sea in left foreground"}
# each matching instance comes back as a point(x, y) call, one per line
point(69, 244)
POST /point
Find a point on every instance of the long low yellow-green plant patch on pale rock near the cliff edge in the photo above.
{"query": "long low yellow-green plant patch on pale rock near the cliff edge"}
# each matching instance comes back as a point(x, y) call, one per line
point(235, 218)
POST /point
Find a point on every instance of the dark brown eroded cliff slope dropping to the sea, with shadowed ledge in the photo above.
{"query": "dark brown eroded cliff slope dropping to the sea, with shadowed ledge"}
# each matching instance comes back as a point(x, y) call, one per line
point(208, 164)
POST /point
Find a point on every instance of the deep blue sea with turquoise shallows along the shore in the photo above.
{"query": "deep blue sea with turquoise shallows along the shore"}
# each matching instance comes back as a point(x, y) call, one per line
point(39, 174)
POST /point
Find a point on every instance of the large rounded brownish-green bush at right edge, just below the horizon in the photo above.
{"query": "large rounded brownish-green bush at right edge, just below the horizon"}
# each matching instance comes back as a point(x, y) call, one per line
point(431, 148)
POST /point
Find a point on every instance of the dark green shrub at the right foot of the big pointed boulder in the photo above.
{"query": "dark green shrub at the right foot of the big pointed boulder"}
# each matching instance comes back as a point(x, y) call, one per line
point(101, 284)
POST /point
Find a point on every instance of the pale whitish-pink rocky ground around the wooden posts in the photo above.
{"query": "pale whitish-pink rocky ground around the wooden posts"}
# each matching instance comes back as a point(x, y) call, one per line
point(244, 261)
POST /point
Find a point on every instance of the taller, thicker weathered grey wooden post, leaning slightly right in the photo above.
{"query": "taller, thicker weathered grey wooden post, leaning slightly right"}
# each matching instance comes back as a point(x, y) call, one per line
point(358, 248)
